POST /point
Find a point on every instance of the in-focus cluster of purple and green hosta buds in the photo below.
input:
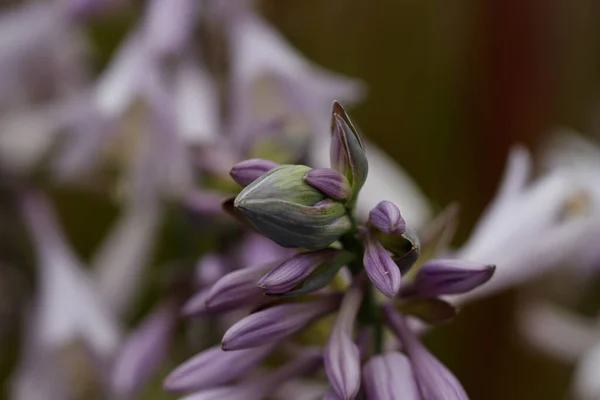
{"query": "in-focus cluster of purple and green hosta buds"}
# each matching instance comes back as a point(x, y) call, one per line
point(313, 210)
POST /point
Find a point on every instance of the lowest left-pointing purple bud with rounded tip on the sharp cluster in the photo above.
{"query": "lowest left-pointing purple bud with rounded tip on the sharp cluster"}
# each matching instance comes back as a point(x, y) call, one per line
point(214, 367)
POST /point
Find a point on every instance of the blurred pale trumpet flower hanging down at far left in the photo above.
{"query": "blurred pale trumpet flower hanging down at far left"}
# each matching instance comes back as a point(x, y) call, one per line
point(69, 306)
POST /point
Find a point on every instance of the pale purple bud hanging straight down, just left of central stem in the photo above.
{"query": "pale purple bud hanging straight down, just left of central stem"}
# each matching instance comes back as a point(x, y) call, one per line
point(341, 355)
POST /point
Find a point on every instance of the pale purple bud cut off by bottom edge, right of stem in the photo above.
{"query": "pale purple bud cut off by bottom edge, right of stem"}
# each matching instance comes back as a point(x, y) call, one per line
point(390, 377)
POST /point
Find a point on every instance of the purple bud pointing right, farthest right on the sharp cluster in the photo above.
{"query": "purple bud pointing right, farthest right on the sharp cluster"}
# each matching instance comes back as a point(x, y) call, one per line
point(448, 276)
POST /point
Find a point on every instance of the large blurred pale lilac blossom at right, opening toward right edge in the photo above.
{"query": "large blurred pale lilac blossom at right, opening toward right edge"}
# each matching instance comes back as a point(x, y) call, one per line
point(516, 219)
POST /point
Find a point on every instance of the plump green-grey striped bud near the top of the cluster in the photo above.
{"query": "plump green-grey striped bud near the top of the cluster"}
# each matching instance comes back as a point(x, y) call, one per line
point(286, 209)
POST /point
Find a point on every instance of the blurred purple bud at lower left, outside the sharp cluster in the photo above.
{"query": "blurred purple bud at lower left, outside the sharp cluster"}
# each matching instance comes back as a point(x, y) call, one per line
point(143, 351)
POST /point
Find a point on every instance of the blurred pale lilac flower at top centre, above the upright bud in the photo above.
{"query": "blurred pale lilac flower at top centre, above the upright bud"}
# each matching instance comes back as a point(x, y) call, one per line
point(257, 52)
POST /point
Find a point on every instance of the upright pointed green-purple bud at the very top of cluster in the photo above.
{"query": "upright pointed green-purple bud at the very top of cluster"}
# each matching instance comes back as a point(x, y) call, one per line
point(347, 151)
